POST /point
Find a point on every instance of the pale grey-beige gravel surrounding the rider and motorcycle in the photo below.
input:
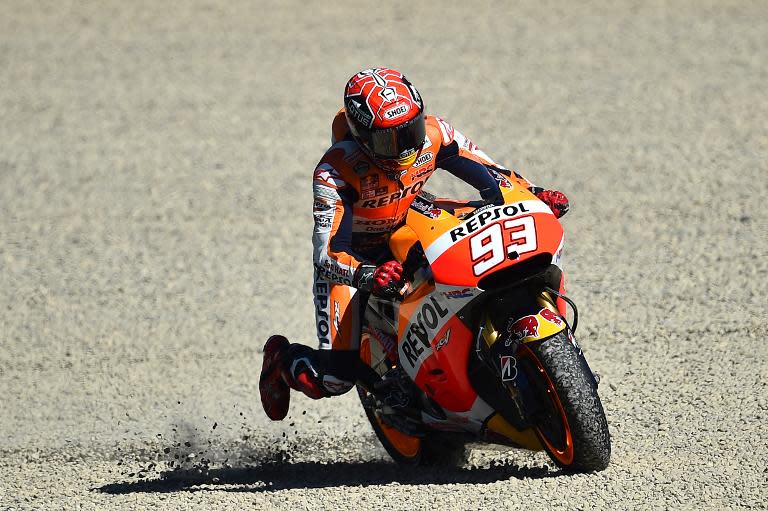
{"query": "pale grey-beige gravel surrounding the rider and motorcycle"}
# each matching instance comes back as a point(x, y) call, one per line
point(155, 224)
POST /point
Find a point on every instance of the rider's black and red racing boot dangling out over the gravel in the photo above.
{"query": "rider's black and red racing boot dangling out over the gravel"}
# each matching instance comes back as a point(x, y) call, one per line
point(281, 360)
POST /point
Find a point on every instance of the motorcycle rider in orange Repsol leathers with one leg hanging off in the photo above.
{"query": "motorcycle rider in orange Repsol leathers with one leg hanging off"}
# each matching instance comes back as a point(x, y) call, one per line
point(384, 149)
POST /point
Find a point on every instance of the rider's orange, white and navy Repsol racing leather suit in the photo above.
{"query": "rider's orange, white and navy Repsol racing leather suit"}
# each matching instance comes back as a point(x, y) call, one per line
point(356, 207)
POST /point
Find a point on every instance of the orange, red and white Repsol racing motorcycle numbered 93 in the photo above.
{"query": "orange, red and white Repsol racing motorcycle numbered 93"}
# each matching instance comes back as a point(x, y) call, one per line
point(479, 349)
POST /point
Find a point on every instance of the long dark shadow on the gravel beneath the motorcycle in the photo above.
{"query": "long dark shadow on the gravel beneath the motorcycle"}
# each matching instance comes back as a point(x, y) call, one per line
point(273, 477)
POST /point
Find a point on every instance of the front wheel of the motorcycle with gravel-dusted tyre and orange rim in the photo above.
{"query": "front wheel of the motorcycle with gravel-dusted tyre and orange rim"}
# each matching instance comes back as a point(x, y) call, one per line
point(569, 418)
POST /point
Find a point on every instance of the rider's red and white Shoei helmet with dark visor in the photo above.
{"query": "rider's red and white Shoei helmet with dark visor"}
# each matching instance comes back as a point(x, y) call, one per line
point(385, 114)
